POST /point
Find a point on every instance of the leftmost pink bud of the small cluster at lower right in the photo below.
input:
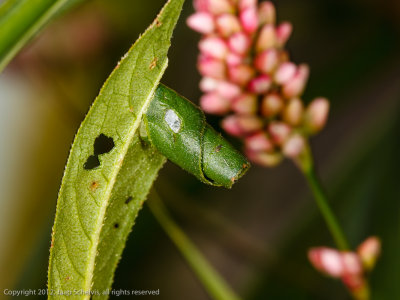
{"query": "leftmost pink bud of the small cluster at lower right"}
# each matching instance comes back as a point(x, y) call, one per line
point(326, 260)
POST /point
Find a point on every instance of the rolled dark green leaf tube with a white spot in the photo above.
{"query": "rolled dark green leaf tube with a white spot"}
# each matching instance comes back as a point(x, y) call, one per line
point(178, 129)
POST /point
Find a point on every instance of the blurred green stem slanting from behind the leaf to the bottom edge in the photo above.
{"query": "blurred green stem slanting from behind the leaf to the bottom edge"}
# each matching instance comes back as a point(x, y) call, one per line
point(211, 280)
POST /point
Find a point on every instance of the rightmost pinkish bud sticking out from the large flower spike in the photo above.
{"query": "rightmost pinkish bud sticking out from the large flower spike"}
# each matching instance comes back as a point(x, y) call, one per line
point(317, 114)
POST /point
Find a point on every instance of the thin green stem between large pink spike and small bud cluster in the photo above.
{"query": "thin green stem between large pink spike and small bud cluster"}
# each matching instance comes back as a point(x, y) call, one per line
point(306, 165)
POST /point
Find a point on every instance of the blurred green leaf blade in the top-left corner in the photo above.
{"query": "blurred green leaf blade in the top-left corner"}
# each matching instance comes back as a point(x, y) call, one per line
point(20, 20)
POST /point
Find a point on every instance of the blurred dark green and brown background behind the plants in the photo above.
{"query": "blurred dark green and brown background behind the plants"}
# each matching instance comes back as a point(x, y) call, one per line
point(256, 234)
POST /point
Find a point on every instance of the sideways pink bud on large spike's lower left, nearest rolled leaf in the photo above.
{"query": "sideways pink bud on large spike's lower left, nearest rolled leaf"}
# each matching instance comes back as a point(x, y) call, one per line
point(241, 125)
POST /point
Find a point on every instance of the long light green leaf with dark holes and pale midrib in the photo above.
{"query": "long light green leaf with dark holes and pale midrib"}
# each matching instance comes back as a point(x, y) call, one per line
point(110, 170)
